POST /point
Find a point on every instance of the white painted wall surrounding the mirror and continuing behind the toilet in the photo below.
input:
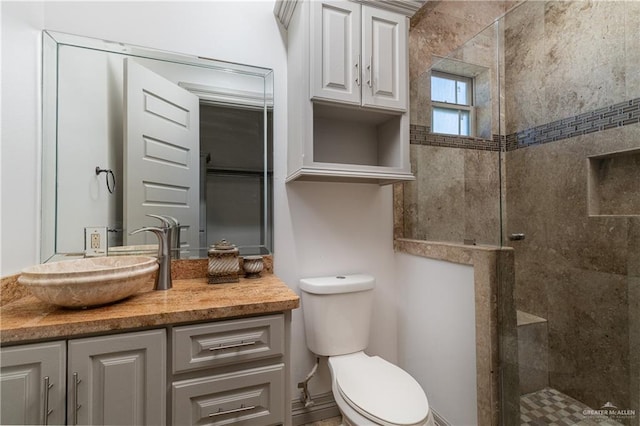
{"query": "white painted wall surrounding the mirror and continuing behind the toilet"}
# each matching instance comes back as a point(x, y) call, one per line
point(320, 228)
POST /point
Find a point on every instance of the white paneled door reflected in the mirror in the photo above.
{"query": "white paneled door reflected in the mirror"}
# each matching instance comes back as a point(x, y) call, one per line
point(161, 154)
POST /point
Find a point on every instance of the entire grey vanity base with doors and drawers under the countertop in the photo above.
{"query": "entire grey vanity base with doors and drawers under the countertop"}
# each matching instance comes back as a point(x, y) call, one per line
point(219, 373)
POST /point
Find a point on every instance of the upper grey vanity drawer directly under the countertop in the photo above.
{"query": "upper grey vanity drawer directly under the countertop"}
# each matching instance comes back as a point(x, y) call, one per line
point(226, 342)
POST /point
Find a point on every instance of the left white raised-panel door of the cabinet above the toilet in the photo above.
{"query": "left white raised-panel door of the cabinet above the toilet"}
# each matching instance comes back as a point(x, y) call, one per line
point(335, 57)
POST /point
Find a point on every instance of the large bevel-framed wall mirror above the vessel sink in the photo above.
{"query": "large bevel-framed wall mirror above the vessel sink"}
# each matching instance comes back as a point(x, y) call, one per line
point(130, 131)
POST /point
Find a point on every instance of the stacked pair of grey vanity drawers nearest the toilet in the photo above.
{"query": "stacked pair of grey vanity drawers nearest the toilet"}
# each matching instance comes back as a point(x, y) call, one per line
point(230, 371)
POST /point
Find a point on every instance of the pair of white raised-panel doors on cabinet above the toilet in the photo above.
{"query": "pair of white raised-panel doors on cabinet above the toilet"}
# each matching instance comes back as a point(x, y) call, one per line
point(358, 55)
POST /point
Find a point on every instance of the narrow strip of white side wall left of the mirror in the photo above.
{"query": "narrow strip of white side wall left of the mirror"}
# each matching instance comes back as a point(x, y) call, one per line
point(19, 148)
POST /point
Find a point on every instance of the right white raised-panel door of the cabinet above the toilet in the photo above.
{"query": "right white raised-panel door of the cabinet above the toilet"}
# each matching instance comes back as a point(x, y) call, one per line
point(385, 59)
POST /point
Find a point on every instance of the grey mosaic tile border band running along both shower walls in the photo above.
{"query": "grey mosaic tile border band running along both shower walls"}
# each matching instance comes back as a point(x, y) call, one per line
point(616, 115)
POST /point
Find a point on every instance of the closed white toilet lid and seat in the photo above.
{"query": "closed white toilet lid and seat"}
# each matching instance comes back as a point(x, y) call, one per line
point(379, 390)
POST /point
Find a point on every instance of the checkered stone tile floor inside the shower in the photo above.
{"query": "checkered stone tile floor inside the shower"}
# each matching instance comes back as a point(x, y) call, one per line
point(551, 407)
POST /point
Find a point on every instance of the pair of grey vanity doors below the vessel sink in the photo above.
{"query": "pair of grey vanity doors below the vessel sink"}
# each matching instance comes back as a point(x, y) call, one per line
point(118, 379)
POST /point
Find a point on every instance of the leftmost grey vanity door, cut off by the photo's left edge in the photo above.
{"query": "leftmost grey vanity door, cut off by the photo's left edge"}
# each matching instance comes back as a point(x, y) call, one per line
point(32, 384)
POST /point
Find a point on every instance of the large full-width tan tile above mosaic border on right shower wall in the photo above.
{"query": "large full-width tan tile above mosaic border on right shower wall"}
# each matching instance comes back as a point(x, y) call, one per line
point(595, 43)
